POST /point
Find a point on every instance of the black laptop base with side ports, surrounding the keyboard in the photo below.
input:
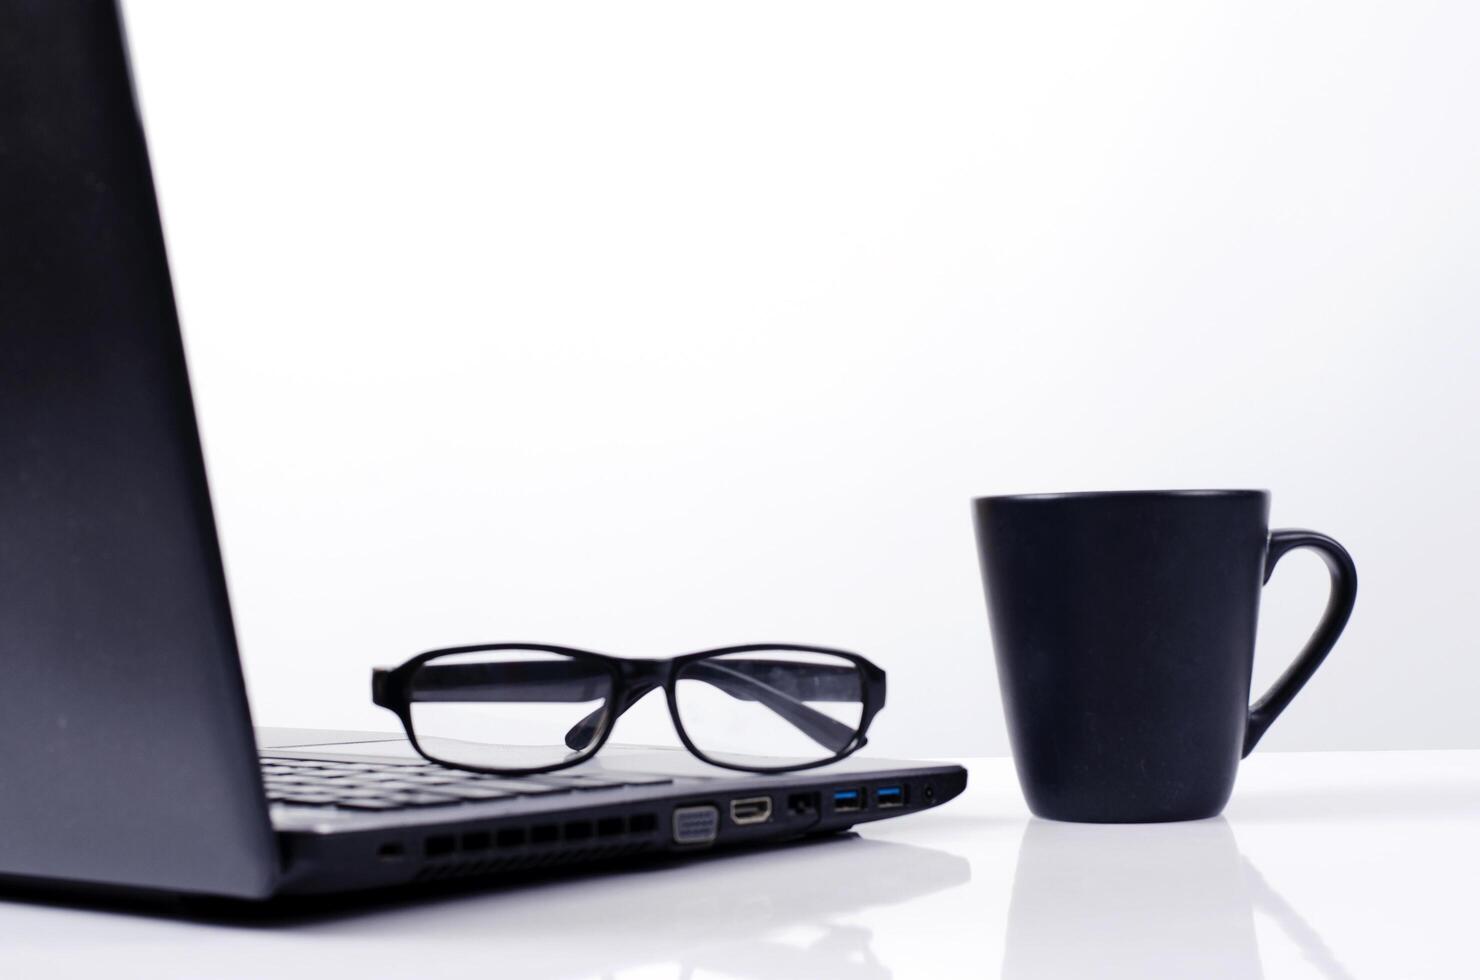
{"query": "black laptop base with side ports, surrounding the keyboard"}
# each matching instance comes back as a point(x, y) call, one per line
point(673, 806)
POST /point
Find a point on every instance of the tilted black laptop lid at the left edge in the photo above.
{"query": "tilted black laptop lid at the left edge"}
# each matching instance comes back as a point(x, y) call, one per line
point(127, 750)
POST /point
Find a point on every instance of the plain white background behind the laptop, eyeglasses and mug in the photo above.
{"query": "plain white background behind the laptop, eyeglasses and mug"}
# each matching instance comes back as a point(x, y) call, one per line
point(650, 328)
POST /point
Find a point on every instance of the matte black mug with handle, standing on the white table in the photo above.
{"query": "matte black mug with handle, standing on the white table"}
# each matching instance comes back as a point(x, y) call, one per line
point(1124, 631)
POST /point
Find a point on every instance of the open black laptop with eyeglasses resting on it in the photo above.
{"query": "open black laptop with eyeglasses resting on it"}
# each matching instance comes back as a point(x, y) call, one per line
point(129, 757)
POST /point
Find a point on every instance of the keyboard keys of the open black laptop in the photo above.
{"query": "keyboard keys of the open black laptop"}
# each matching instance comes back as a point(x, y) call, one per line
point(369, 787)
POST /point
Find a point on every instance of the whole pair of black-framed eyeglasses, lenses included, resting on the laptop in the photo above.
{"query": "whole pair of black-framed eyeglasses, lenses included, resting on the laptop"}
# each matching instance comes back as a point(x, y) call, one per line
point(520, 708)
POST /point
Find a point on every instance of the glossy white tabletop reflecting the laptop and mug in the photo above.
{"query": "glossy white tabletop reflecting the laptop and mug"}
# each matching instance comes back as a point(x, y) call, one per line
point(1327, 865)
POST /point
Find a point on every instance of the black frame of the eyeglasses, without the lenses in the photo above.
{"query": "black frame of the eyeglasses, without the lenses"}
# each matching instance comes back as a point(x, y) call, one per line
point(631, 680)
